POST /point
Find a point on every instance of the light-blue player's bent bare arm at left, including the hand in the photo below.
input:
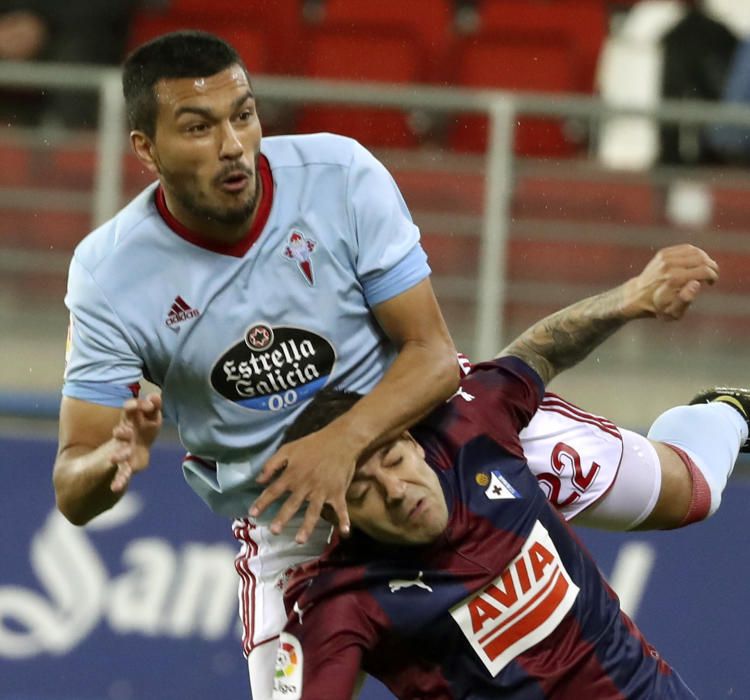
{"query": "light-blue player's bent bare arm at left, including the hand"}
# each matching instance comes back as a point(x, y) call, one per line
point(100, 448)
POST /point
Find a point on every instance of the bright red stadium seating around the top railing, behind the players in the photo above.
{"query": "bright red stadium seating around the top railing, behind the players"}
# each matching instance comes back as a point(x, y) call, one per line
point(539, 45)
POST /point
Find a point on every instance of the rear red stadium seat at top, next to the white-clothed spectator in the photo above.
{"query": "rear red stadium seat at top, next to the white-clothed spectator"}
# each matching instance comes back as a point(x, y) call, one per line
point(582, 23)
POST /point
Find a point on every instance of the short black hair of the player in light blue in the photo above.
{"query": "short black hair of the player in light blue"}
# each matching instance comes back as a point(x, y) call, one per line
point(182, 54)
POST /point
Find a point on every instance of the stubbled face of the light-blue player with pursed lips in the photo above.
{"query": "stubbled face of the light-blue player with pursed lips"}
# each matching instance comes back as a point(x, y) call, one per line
point(205, 149)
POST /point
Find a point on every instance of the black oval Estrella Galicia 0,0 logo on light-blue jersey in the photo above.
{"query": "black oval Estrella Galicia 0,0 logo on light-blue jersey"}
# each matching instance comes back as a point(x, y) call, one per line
point(273, 367)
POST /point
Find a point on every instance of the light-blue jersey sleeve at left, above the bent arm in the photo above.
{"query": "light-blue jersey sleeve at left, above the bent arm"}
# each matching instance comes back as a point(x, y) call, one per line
point(101, 365)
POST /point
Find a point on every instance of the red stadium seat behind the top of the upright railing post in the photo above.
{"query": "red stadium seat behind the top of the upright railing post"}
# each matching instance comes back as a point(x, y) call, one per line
point(531, 62)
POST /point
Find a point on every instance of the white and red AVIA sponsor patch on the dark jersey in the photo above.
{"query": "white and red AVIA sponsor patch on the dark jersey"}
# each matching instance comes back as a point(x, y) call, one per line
point(521, 607)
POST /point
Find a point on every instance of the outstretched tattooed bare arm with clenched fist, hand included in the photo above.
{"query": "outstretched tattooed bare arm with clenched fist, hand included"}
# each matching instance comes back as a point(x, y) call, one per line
point(665, 289)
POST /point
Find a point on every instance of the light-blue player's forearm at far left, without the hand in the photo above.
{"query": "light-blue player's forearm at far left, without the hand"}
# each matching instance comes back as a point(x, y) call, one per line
point(82, 479)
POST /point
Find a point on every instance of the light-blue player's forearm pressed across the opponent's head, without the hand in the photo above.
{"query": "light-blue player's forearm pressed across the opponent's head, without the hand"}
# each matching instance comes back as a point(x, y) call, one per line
point(420, 379)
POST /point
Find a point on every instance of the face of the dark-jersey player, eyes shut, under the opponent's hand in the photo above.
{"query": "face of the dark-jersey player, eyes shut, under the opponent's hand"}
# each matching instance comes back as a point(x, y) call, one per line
point(396, 497)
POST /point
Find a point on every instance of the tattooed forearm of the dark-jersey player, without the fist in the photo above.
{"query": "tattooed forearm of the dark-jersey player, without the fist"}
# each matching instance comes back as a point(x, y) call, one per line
point(564, 338)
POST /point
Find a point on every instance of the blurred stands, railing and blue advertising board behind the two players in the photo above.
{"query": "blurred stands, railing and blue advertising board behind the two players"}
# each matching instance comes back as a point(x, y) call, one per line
point(546, 148)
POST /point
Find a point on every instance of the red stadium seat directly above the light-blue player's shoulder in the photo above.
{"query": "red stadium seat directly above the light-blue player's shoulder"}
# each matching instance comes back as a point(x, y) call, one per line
point(366, 55)
